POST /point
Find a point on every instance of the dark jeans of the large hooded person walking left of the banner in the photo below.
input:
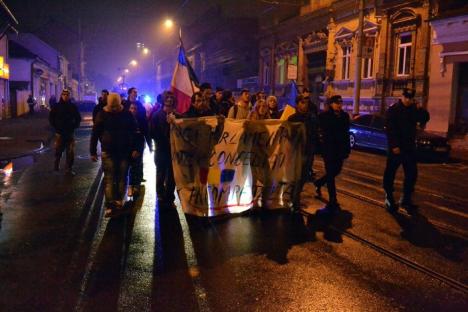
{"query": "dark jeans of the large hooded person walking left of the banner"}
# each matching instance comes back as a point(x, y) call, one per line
point(115, 168)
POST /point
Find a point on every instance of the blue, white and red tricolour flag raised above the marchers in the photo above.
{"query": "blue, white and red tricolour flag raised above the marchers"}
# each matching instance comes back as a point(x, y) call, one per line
point(184, 82)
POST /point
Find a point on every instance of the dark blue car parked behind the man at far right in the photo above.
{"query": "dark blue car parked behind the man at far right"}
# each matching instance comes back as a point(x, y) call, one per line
point(369, 131)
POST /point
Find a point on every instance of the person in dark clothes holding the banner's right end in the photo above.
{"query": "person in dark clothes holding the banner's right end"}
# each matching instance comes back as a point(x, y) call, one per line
point(302, 115)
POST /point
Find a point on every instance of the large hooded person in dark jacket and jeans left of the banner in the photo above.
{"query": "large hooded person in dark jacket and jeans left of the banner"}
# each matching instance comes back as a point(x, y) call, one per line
point(116, 129)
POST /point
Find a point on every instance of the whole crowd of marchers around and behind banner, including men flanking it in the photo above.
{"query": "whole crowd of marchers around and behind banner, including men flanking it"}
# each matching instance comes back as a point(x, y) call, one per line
point(124, 127)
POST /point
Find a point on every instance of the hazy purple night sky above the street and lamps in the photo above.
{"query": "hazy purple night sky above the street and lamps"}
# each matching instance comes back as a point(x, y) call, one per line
point(111, 28)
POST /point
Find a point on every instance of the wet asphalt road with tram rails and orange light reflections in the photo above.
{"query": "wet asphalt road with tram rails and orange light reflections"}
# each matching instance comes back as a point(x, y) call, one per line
point(57, 252)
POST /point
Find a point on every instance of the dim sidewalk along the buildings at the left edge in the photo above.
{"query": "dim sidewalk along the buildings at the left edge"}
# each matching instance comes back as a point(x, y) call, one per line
point(22, 135)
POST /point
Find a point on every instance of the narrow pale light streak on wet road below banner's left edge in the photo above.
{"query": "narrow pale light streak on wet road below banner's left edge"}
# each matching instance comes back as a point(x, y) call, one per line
point(192, 263)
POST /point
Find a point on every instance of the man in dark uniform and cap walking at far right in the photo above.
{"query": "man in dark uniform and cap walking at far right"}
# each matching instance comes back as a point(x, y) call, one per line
point(402, 121)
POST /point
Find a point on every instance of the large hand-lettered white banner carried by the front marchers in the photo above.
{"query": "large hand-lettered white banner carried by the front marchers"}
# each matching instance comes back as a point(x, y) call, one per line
point(229, 168)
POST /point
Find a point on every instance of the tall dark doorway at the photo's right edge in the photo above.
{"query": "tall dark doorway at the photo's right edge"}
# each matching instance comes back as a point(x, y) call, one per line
point(461, 113)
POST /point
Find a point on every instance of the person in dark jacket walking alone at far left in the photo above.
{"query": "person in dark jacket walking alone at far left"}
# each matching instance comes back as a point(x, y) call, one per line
point(65, 118)
